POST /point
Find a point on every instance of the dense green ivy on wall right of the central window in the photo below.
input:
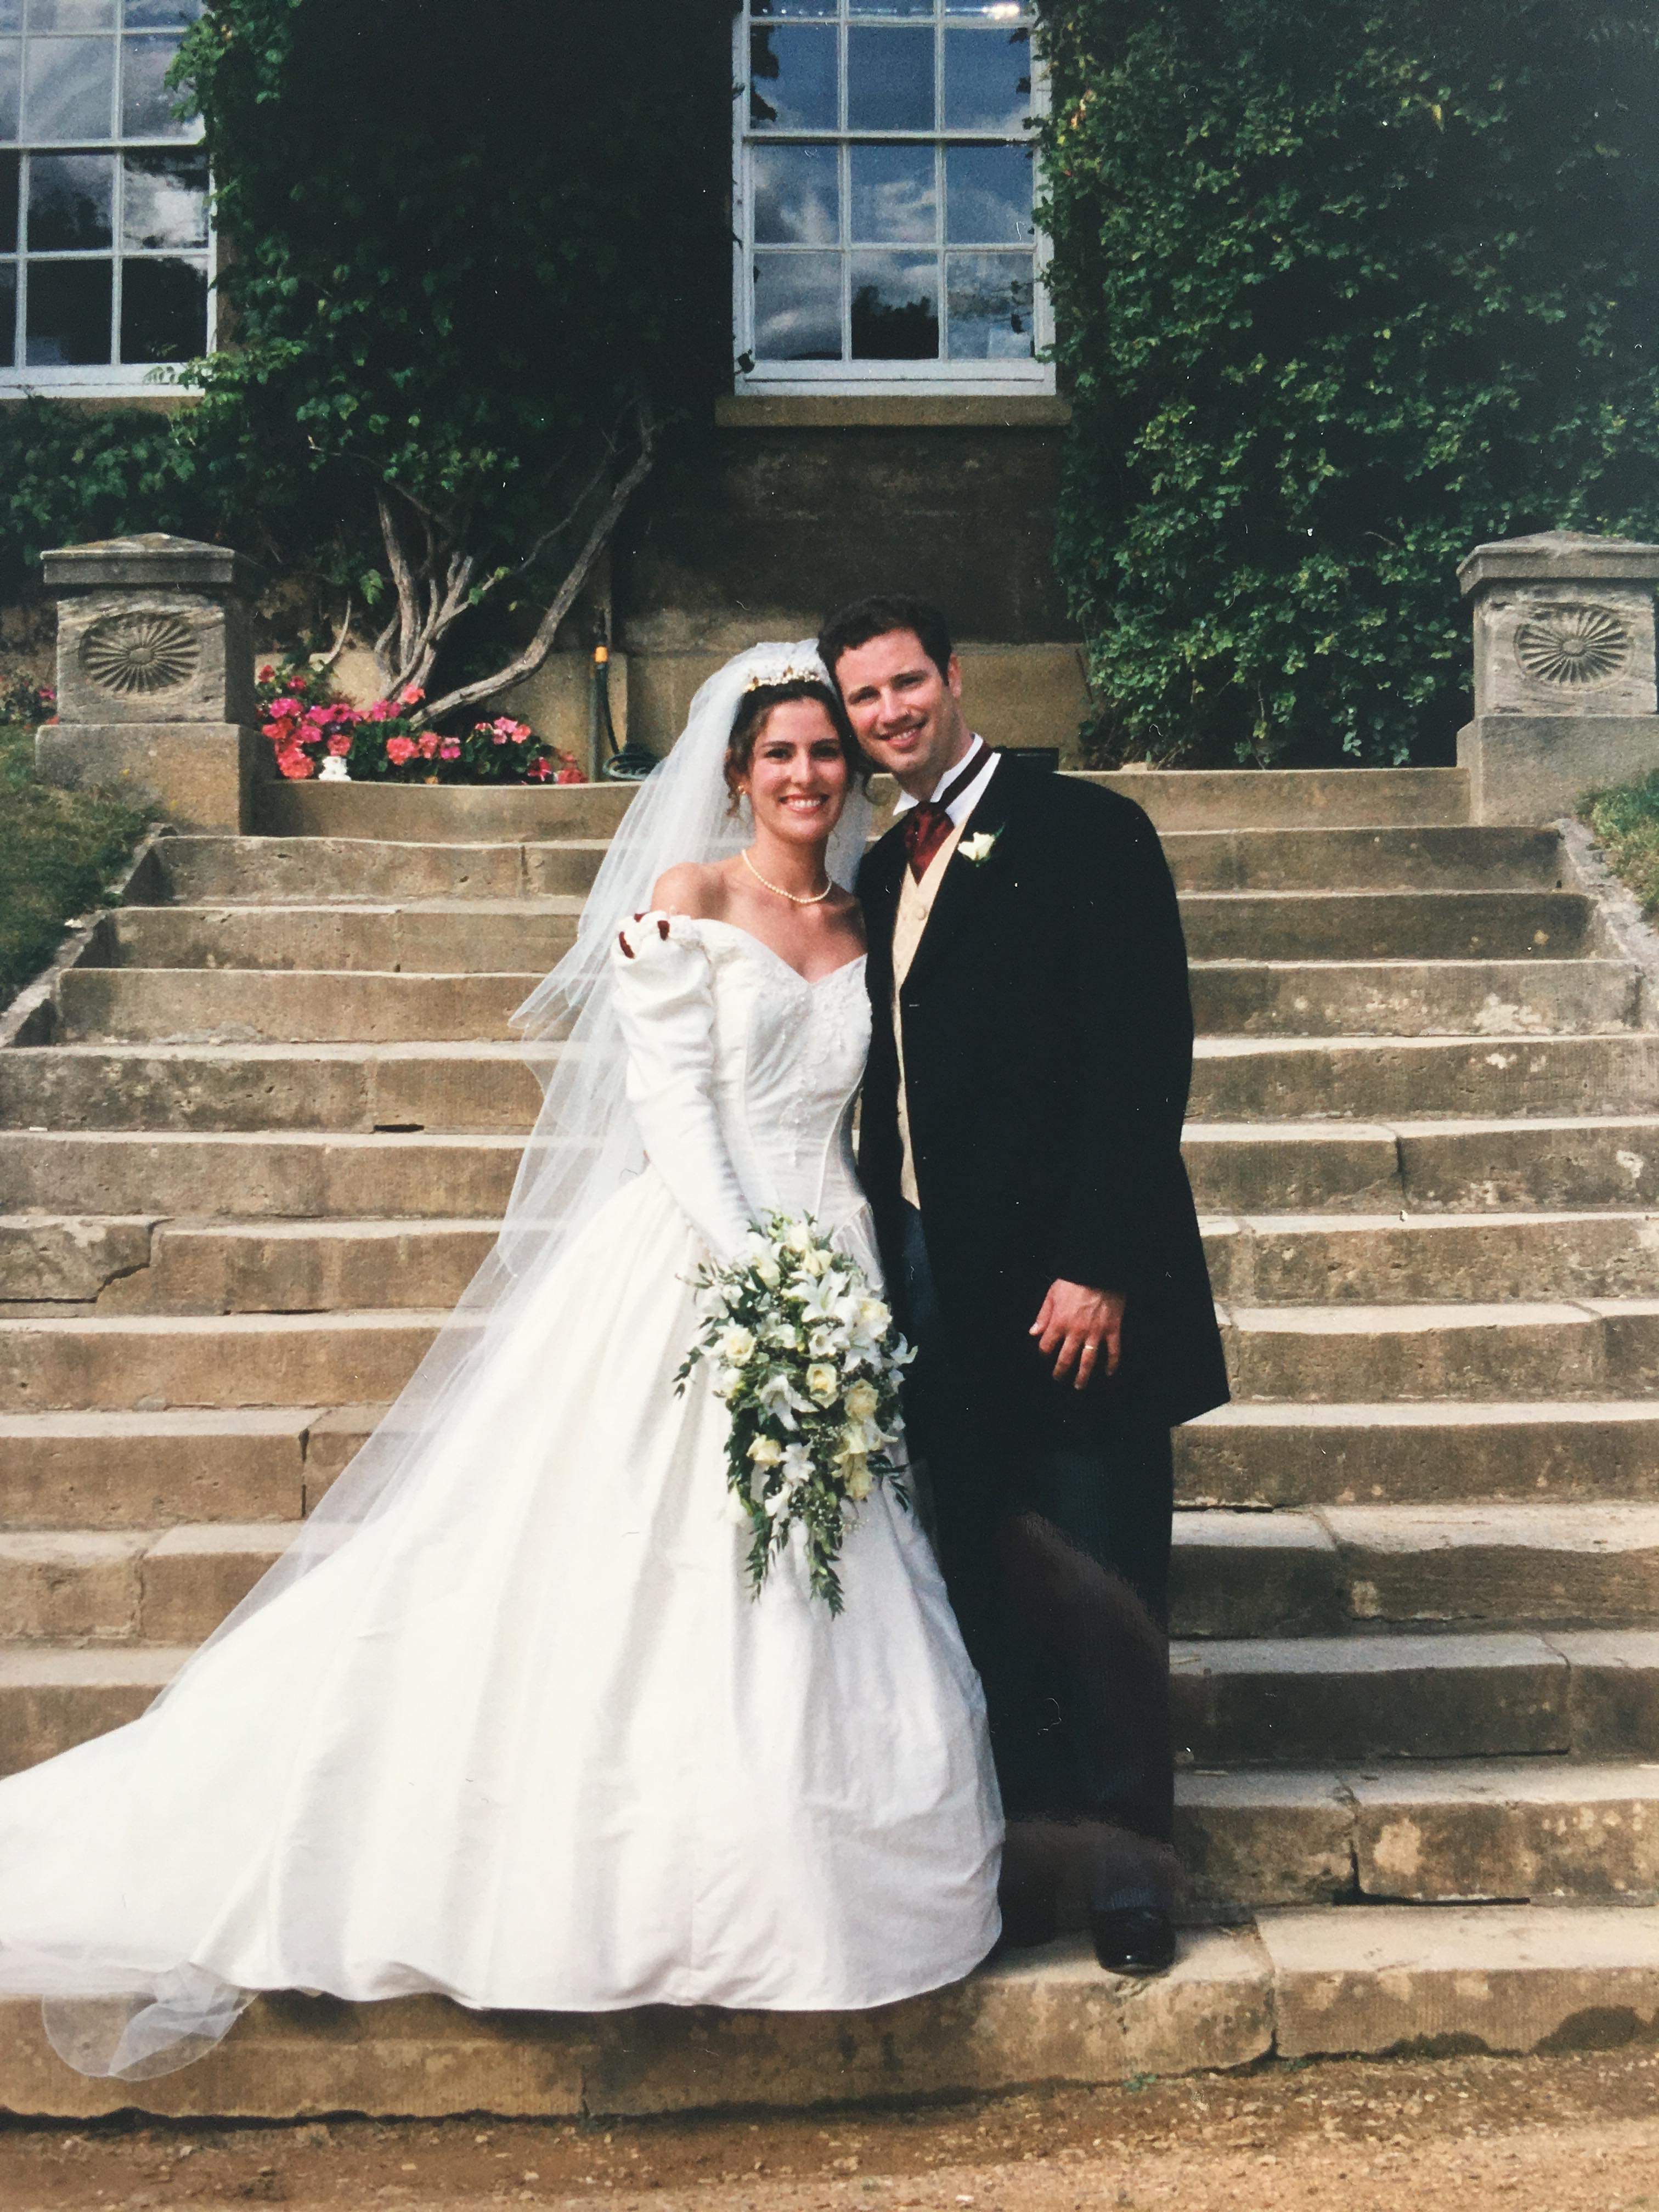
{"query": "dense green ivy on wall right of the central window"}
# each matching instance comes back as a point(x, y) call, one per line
point(1344, 289)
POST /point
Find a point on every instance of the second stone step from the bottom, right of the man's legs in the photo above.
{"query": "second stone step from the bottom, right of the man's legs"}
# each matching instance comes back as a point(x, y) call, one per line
point(1430, 1835)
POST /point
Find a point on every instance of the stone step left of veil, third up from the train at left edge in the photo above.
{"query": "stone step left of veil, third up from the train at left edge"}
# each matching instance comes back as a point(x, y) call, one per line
point(171, 1468)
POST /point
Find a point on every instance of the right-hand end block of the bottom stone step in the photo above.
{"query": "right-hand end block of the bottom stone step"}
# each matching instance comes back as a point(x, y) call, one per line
point(1490, 1979)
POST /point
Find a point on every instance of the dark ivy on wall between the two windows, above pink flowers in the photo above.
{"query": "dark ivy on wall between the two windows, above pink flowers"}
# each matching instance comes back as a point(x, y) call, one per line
point(463, 244)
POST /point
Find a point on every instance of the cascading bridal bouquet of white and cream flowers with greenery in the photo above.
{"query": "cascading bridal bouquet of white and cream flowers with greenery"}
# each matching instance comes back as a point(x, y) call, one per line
point(808, 1364)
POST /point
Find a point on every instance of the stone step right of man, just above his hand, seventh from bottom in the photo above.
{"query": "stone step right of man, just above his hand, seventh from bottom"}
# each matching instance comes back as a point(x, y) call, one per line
point(1430, 1260)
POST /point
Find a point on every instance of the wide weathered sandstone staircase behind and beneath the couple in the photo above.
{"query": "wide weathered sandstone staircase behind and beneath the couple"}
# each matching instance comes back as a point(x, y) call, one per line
point(1417, 1578)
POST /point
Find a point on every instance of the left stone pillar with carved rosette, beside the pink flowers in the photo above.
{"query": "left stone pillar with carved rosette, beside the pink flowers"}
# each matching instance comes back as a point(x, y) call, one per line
point(156, 678)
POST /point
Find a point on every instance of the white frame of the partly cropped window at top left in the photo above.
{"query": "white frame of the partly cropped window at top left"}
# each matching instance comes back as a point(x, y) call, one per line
point(103, 379)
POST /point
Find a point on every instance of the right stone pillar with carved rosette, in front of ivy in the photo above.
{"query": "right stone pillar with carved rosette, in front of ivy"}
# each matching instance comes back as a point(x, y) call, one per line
point(1565, 674)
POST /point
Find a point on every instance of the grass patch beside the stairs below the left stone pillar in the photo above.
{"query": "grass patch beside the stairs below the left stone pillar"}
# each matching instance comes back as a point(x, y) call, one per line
point(59, 851)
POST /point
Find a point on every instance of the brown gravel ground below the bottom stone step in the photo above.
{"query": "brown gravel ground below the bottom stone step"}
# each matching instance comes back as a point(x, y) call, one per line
point(1554, 2136)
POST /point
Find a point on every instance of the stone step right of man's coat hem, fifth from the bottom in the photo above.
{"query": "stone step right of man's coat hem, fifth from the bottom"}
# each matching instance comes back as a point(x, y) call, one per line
point(1428, 1452)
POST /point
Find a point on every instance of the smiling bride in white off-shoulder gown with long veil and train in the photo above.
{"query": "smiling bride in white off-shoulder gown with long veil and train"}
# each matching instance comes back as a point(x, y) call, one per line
point(505, 1722)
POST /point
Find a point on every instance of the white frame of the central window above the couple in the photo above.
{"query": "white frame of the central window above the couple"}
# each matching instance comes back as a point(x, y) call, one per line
point(873, 379)
